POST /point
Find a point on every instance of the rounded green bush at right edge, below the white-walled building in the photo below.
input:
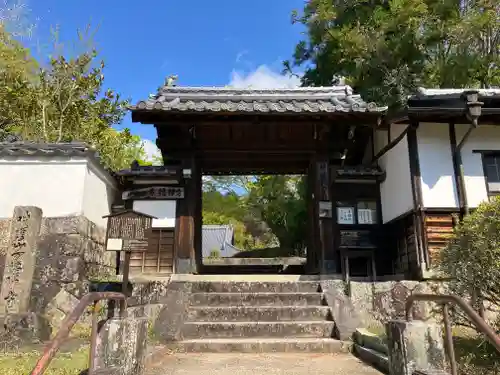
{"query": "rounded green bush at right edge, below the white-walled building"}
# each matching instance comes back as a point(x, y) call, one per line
point(472, 258)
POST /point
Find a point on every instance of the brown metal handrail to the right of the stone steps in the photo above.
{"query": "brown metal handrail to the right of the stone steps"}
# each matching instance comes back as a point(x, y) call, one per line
point(445, 300)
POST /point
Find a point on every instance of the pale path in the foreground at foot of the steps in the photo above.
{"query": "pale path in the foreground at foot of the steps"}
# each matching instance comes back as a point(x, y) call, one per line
point(260, 364)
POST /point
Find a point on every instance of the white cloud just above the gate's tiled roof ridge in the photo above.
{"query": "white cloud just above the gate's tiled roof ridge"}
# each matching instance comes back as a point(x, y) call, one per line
point(263, 78)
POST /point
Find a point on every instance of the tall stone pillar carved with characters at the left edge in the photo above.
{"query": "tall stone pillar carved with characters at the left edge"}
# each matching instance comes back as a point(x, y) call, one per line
point(20, 260)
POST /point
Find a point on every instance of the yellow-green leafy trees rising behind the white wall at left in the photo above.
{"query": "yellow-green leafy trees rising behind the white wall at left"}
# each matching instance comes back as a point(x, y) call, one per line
point(63, 100)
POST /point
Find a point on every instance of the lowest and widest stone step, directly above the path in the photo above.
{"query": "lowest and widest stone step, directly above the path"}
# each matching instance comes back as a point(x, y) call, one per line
point(263, 345)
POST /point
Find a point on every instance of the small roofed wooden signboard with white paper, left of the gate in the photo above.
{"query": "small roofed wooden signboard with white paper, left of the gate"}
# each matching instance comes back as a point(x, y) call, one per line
point(128, 230)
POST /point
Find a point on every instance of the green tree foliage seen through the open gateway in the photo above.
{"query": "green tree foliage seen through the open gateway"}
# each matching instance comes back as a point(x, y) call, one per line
point(271, 212)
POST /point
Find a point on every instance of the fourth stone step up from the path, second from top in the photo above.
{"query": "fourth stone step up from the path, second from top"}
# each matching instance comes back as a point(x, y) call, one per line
point(257, 299)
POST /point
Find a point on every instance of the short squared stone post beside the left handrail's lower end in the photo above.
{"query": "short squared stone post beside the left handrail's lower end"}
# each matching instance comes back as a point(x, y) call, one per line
point(121, 346)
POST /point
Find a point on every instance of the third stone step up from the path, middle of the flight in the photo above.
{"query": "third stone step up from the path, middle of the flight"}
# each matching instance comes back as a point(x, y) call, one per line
point(260, 313)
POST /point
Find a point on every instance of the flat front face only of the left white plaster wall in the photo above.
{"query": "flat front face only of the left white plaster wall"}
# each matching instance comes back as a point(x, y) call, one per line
point(54, 185)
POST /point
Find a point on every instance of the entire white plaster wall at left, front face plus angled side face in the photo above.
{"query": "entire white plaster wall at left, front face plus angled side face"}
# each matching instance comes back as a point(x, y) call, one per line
point(59, 186)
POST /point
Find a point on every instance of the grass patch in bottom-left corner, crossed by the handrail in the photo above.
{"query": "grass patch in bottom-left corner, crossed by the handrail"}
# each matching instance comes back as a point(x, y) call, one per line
point(21, 363)
